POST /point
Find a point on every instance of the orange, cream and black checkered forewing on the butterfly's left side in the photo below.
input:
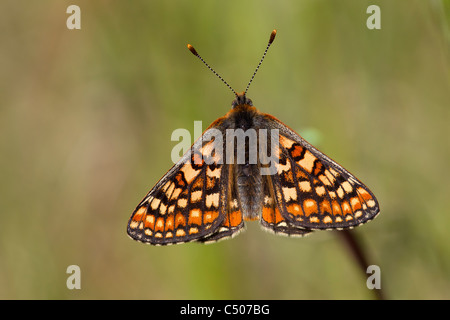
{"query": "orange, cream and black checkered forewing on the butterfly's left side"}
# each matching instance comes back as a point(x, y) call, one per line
point(189, 203)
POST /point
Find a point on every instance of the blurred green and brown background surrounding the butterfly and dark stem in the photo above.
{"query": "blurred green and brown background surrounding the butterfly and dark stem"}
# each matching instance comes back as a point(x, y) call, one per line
point(86, 118)
